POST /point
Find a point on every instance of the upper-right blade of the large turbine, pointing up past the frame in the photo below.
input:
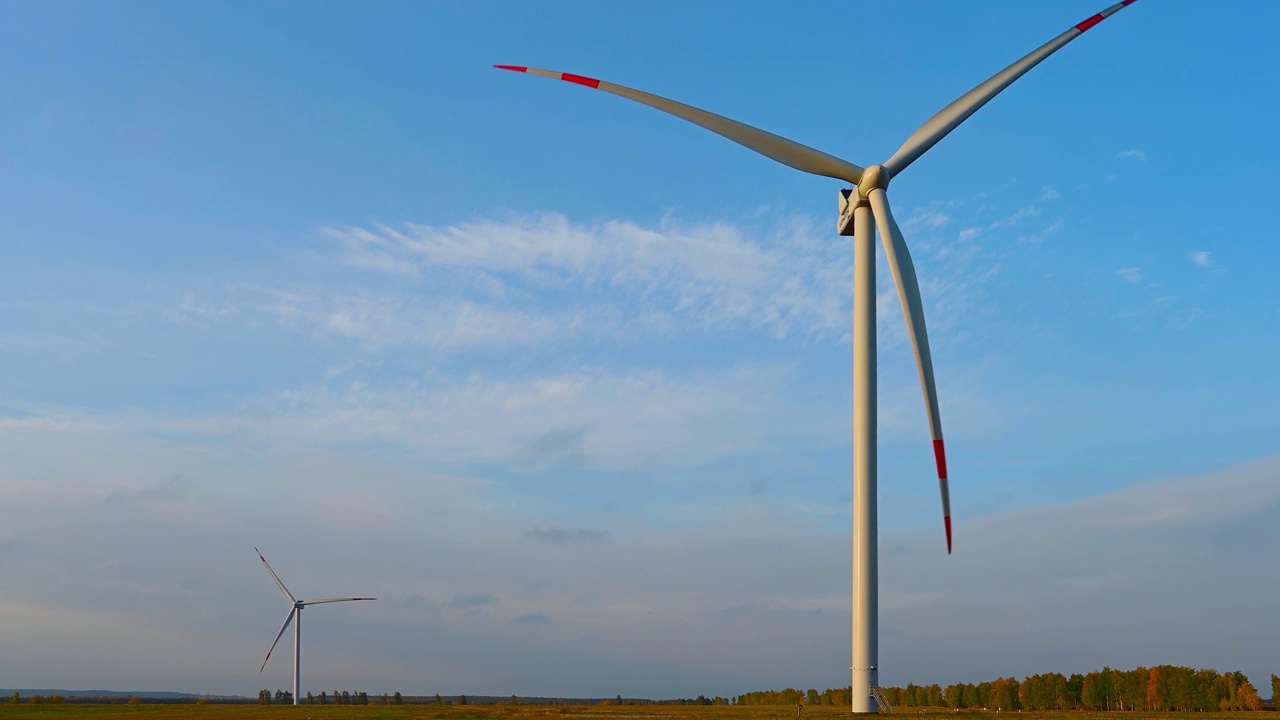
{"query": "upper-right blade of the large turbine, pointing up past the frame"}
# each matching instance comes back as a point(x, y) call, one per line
point(959, 112)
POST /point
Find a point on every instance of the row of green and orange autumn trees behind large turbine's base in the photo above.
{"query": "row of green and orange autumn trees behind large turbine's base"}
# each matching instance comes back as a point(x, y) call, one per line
point(1162, 689)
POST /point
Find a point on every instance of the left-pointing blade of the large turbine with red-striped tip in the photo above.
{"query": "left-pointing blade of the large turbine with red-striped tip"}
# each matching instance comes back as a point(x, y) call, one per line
point(787, 152)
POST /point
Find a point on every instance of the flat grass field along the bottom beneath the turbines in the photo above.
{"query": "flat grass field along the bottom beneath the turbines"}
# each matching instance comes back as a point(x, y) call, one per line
point(529, 713)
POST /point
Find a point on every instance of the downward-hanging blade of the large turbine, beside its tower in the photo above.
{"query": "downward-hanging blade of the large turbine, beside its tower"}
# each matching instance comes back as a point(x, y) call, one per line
point(913, 309)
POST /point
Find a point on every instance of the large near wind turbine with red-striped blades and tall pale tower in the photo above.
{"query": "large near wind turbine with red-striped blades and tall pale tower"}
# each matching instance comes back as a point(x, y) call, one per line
point(862, 206)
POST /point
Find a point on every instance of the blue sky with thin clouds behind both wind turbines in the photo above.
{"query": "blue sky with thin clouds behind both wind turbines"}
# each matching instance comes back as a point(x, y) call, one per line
point(566, 381)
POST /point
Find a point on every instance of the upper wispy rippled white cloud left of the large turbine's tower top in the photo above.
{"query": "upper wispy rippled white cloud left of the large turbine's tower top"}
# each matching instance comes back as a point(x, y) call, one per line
point(714, 276)
